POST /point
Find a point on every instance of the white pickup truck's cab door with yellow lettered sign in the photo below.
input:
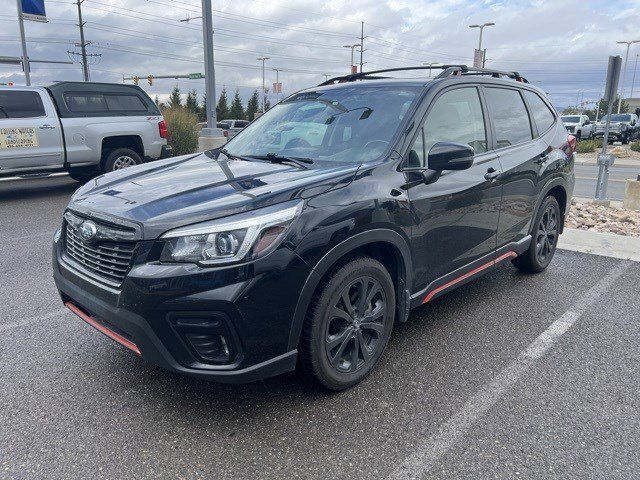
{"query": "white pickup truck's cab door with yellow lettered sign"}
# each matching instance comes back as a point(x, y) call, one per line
point(30, 136)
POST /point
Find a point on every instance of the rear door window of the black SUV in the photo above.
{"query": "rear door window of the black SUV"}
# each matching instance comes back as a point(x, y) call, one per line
point(509, 116)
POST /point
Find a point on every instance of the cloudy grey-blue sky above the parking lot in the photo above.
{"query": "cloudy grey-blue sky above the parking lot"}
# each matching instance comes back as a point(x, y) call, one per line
point(560, 45)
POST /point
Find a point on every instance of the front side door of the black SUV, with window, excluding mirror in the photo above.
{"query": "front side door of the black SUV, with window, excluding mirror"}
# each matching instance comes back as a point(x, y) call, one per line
point(456, 217)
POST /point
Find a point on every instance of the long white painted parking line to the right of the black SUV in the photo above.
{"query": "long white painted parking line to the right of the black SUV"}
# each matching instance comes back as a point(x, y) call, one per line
point(428, 452)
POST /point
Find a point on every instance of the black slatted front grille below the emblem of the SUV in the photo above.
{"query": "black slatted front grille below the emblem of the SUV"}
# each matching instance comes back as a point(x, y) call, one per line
point(107, 262)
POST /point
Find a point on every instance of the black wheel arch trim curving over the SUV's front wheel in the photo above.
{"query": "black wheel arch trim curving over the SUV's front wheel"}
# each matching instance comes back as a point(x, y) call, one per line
point(386, 246)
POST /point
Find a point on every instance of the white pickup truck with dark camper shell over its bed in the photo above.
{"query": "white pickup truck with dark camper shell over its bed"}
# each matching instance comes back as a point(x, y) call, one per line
point(82, 128)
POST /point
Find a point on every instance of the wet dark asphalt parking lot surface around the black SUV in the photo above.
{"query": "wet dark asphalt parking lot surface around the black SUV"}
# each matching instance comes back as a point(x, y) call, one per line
point(510, 376)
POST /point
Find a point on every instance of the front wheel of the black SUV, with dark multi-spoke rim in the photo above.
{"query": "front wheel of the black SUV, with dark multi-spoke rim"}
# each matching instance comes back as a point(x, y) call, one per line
point(342, 339)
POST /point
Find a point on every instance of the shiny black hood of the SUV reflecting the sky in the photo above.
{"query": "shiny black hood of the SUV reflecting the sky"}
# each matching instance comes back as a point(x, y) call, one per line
point(166, 194)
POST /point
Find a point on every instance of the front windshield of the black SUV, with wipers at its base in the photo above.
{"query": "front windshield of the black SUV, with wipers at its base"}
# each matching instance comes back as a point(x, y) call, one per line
point(353, 124)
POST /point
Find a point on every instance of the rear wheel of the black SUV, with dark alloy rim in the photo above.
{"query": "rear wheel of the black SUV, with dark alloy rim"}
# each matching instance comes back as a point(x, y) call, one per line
point(545, 228)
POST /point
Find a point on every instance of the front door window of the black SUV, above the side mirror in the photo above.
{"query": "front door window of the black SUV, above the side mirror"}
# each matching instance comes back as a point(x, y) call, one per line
point(456, 117)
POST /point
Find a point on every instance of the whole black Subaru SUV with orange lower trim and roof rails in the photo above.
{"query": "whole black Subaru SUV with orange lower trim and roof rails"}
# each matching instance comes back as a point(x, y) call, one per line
point(320, 225)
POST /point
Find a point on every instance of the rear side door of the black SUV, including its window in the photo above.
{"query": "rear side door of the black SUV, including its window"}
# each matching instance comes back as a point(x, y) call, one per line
point(522, 154)
